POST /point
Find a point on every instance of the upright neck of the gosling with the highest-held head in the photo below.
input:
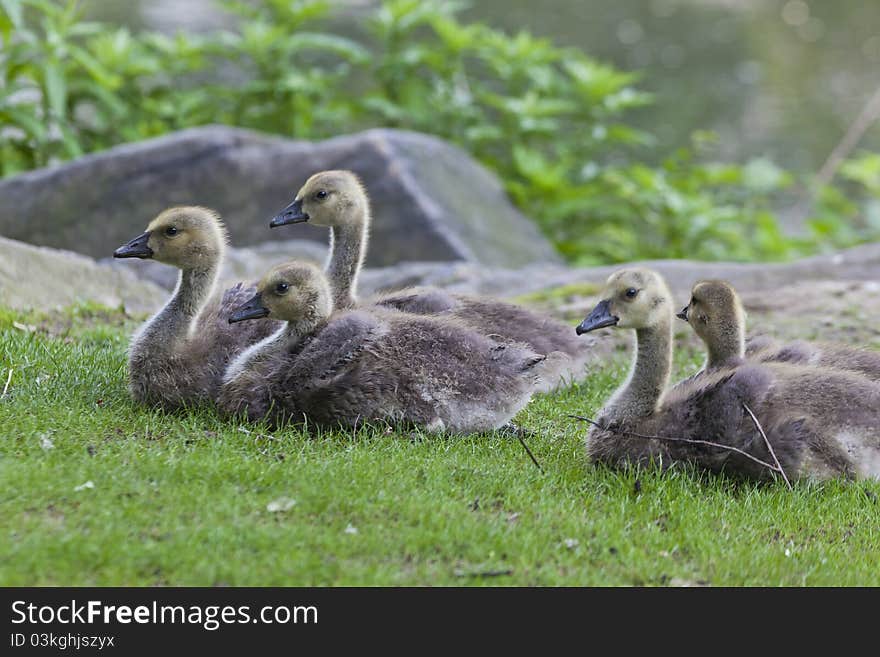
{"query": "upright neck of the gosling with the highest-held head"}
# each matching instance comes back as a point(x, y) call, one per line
point(348, 243)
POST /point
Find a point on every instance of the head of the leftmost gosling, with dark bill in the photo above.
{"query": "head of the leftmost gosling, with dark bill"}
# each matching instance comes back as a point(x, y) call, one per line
point(185, 237)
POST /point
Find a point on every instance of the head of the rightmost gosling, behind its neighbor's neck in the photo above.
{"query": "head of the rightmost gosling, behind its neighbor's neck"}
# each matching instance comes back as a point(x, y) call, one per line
point(715, 312)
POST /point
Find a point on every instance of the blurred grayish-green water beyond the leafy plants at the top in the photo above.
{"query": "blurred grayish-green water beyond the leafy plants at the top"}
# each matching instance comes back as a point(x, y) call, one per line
point(776, 78)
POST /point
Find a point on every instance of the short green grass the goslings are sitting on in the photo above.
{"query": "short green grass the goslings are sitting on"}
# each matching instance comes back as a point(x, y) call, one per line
point(182, 499)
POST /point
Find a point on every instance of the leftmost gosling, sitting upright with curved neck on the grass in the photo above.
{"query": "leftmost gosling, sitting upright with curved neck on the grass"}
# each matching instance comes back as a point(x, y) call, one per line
point(179, 355)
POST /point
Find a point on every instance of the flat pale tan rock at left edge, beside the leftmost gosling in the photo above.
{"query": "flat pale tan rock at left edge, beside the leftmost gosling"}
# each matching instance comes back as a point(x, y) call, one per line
point(43, 279)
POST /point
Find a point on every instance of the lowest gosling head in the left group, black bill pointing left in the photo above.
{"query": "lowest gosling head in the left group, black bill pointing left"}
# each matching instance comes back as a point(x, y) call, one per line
point(293, 292)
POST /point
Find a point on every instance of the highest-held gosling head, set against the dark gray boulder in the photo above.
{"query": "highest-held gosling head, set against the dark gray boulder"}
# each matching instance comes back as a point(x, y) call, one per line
point(325, 200)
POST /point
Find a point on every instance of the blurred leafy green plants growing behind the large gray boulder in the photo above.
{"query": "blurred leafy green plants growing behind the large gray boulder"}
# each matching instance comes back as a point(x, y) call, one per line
point(549, 120)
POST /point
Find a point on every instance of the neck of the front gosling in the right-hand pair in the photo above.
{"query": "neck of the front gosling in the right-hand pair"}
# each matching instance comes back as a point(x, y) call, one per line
point(642, 393)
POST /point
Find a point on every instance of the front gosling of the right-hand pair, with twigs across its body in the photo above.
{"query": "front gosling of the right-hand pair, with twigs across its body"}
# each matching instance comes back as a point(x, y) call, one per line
point(820, 424)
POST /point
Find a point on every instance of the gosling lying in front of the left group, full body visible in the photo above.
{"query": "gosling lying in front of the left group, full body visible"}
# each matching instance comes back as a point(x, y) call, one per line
point(348, 367)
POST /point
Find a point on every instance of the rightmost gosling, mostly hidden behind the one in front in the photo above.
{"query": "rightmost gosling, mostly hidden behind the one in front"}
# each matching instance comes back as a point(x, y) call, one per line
point(716, 314)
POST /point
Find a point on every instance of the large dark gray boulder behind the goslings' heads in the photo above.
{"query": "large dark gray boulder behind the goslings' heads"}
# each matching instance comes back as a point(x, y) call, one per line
point(431, 201)
